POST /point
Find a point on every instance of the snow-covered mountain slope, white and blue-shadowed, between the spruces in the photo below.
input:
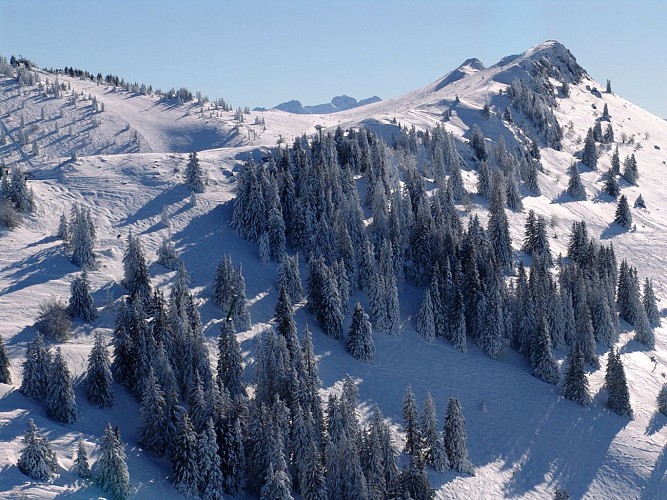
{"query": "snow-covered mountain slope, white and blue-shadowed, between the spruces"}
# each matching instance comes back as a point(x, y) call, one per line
point(523, 437)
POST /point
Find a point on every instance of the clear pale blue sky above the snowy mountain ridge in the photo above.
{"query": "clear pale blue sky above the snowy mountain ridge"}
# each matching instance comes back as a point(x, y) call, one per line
point(262, 52)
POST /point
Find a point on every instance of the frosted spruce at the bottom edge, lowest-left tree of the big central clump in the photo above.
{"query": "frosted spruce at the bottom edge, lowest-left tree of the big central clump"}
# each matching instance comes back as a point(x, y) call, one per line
point(184, 459)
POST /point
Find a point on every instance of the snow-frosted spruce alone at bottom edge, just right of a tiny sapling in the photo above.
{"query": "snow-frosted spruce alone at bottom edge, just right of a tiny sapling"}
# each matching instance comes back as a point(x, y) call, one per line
point(111, 471)
